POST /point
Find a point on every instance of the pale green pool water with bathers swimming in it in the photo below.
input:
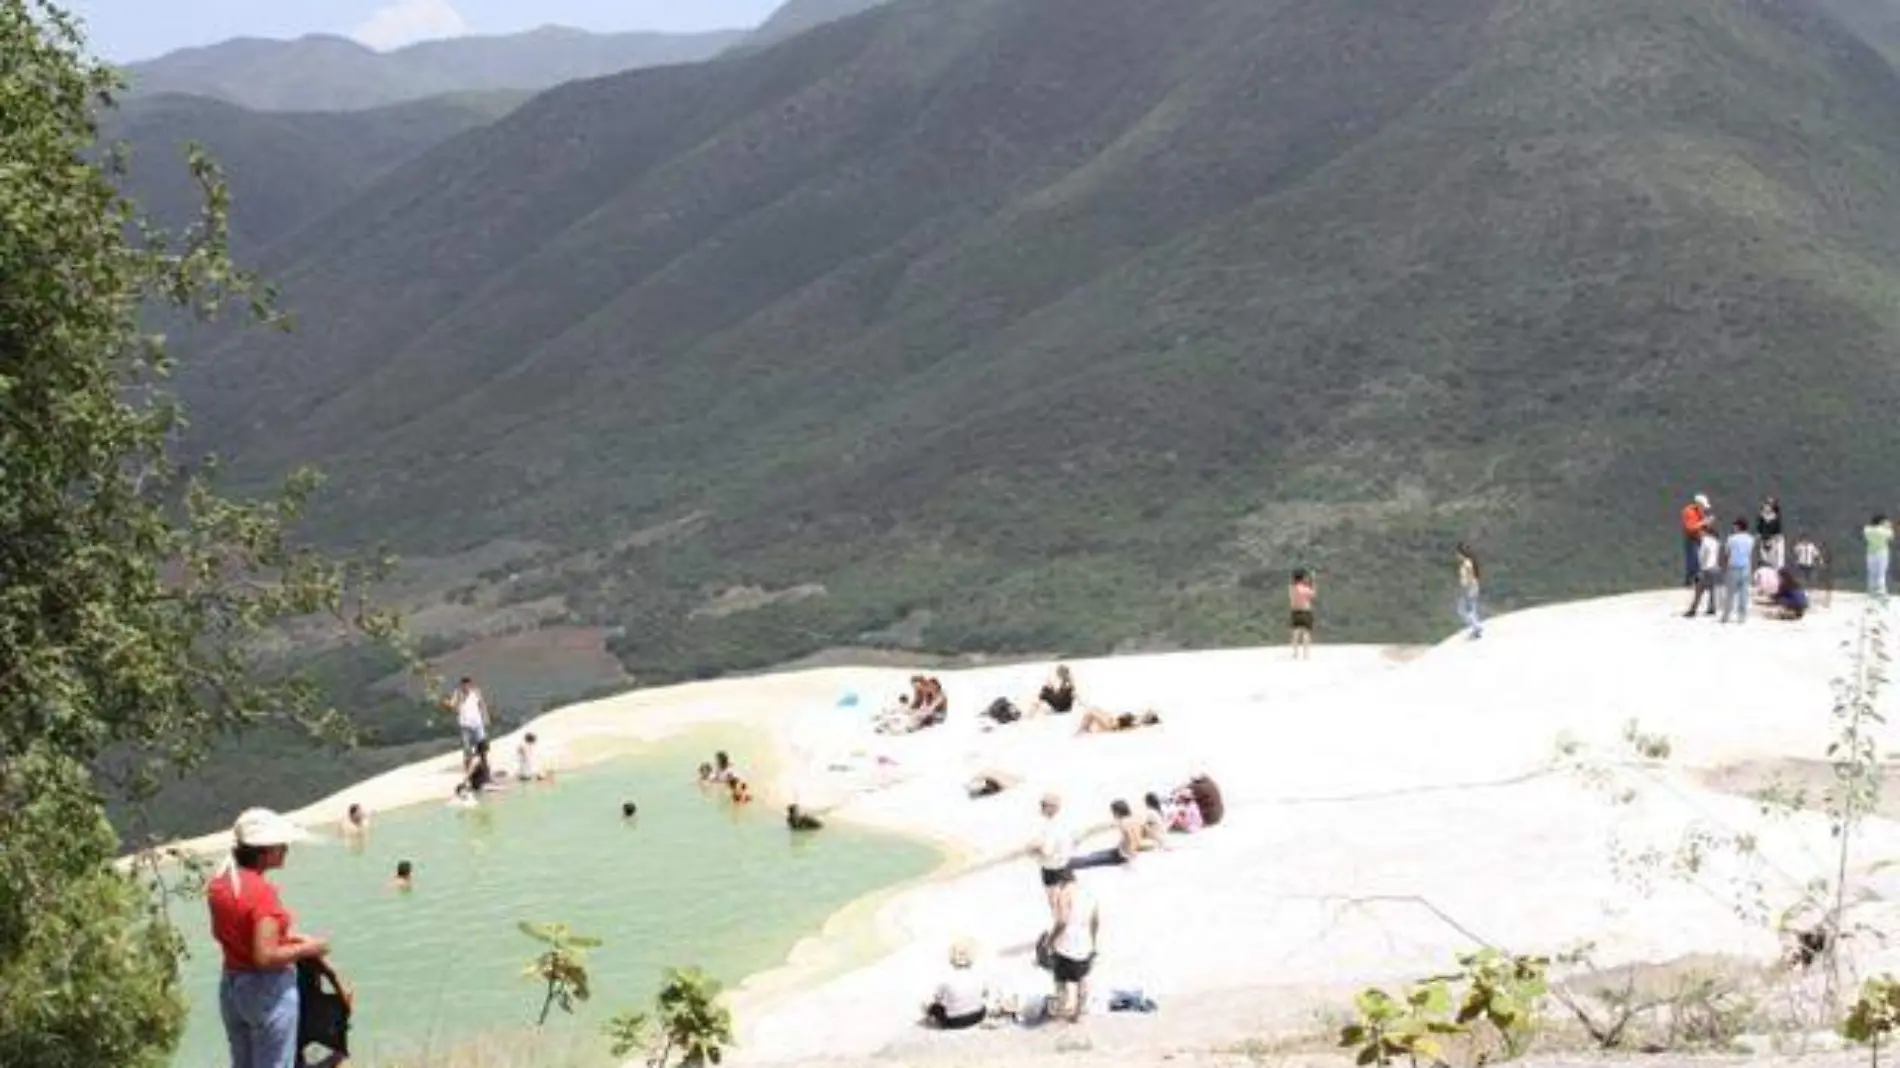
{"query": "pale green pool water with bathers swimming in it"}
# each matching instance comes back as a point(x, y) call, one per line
point(691, 881)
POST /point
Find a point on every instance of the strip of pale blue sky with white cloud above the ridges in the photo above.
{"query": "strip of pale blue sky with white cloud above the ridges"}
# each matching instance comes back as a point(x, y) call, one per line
point(126, 31)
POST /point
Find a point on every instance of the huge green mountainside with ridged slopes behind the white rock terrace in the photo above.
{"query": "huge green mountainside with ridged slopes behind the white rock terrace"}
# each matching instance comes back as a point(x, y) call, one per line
point(1074, 324)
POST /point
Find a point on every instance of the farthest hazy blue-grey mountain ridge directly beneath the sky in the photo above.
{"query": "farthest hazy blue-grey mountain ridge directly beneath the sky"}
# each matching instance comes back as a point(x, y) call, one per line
point(330, 73)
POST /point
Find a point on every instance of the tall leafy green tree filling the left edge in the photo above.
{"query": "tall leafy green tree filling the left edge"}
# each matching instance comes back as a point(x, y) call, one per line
point(132, 594)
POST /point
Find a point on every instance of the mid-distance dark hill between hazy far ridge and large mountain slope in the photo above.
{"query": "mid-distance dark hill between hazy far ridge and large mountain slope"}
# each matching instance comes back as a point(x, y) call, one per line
point(284, 168)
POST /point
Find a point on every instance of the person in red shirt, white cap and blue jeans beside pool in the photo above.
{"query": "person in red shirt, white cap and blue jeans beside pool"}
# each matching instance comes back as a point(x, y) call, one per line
point(257, 995)
